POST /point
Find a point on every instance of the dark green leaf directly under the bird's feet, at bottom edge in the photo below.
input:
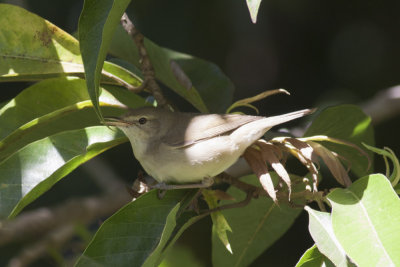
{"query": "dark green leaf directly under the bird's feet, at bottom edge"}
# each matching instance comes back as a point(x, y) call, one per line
point(132, 234)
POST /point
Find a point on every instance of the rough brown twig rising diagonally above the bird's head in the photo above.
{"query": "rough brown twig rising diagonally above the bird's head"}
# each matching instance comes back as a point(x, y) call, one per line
point(149, 81)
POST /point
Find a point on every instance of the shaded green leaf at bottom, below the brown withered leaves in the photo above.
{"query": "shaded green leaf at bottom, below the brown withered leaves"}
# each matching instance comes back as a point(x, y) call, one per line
point(255, 227)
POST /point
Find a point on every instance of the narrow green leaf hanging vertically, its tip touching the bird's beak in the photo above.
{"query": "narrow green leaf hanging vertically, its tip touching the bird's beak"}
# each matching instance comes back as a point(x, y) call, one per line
point(96, 29)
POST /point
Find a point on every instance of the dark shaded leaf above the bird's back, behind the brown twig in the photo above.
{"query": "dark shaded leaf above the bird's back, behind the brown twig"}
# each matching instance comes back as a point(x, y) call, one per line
point(215, 89)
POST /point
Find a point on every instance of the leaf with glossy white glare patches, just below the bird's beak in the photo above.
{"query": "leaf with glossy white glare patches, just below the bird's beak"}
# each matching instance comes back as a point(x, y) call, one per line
point(31, 171)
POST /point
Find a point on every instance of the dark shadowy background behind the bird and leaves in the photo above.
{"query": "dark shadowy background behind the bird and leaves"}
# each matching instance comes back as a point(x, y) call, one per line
point(323, 52)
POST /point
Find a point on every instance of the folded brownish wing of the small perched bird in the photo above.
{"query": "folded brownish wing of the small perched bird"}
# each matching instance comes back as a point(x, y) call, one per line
point(204, 127)
